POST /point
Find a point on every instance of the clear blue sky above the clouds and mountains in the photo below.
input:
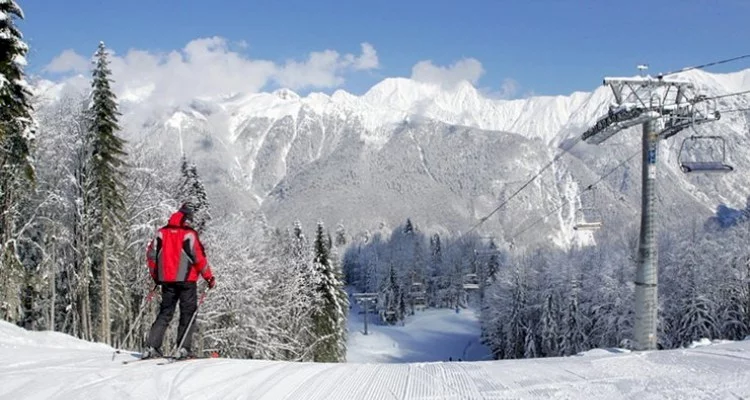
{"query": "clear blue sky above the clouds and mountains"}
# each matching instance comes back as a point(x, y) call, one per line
point(545, 47)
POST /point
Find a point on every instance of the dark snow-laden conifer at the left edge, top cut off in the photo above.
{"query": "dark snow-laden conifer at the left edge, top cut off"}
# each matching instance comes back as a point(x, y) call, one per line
point(16, 169)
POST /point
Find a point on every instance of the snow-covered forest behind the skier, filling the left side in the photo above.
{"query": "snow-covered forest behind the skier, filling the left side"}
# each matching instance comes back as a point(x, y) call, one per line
point(79, 206)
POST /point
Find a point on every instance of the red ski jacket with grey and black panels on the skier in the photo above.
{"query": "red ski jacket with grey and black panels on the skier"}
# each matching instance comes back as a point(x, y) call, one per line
point(176, 254)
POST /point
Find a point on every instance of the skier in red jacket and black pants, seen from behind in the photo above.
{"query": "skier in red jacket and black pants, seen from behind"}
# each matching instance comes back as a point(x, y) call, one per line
point(175, 258)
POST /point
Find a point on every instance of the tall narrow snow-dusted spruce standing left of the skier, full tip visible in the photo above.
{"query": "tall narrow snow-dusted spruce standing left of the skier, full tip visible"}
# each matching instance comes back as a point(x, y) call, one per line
point(106, 170)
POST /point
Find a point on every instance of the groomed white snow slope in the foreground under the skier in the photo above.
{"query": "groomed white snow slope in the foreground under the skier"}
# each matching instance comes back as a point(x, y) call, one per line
point(44, 365)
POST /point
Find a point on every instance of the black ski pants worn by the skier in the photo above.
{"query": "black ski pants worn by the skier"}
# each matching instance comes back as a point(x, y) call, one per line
point(186, 294)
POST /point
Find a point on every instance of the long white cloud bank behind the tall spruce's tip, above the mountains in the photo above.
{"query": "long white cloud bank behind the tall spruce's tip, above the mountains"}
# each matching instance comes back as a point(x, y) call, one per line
point(208, 67)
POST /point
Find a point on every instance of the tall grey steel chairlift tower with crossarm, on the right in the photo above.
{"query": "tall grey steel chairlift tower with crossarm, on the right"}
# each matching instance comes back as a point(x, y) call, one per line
point(663, 107)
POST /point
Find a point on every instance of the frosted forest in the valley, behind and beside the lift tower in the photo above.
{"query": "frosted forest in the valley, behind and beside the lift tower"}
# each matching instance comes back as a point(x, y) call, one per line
point(551, 302)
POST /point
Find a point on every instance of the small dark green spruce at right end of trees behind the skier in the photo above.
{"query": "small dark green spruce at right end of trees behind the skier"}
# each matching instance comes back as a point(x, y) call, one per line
point(329, 317)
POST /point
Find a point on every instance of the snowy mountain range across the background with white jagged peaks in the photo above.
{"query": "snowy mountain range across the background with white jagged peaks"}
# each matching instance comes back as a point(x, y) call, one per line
point(443, 156)
